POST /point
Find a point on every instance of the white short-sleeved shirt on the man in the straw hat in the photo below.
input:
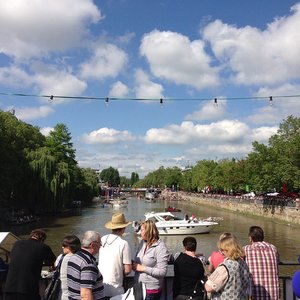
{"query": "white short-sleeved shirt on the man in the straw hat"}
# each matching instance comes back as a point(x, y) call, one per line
point(114, 254)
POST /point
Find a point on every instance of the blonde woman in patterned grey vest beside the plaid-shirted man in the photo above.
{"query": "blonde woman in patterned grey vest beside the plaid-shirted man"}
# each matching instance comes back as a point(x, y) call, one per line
point(231, 278)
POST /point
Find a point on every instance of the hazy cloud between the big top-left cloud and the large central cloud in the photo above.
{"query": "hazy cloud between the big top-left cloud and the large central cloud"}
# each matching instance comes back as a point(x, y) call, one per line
point(107, 61)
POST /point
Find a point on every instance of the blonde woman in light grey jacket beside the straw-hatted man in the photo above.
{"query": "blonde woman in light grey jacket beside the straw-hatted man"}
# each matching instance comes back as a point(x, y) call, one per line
point(151, 261)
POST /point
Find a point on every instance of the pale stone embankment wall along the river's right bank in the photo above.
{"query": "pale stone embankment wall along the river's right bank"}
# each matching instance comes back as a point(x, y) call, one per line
point(274, 210)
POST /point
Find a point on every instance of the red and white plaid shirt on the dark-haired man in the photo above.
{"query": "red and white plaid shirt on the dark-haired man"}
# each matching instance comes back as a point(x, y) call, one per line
point(262, 259)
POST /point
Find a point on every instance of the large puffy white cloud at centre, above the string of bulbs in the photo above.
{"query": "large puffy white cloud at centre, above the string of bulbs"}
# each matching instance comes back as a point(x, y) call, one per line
point(173, 57)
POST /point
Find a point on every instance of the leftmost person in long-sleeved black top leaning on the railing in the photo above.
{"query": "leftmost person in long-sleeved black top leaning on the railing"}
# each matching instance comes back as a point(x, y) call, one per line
point(27, 258)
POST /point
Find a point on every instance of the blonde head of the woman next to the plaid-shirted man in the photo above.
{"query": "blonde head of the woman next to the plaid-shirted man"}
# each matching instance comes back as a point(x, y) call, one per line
point(230, 247)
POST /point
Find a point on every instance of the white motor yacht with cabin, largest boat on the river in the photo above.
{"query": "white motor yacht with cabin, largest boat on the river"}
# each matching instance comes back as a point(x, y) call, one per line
point(169, 224)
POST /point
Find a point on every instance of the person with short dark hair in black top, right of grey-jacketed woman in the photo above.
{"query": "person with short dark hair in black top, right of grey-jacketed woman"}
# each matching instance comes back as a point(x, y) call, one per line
point(189, 272)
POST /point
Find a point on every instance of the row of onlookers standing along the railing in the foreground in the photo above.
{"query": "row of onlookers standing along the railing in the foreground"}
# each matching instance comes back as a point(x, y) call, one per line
point(95, 267)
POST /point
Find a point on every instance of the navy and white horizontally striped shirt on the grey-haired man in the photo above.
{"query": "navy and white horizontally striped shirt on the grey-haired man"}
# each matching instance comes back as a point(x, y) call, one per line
point(84, 273)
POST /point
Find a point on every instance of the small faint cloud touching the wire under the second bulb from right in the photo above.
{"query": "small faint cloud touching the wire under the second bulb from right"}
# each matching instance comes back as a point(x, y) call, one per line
point(209, 110)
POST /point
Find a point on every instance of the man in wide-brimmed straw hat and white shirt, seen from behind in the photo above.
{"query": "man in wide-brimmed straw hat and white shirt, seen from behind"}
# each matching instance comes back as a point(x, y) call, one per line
point(115, 256)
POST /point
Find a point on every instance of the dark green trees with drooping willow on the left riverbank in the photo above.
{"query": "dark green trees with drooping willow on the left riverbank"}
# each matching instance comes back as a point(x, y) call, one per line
point(39, 173)
